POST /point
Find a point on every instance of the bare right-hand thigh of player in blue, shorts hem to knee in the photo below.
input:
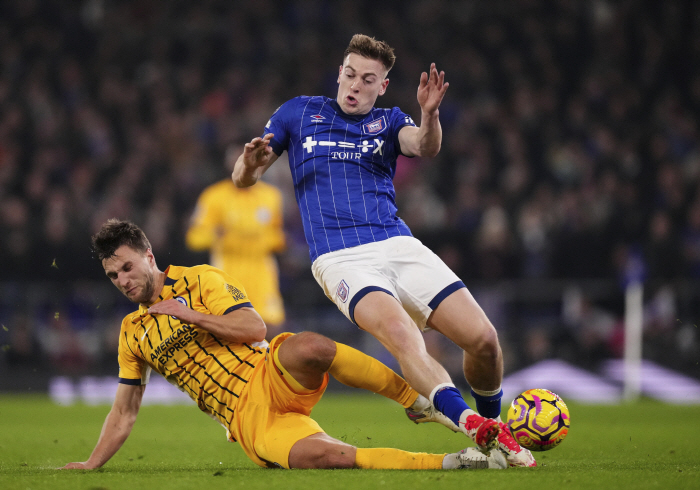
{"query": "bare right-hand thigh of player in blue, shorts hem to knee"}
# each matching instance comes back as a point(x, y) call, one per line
point(460, 318)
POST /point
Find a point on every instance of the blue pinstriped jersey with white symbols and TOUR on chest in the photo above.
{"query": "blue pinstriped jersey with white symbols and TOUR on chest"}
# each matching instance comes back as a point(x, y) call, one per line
point(342, 167)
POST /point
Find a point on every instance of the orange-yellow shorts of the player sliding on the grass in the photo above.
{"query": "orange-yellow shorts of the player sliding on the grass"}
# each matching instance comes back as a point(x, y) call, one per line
point(273, 410)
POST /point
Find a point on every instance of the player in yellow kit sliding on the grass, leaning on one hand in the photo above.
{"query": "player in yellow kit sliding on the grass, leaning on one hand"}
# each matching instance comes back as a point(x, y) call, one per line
point(196, 327)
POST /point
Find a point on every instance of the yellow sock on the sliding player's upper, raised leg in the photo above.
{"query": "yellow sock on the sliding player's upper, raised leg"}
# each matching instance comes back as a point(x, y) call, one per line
point(353, 368)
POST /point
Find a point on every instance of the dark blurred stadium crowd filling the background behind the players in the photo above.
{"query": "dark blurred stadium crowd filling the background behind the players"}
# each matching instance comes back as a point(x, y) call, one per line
point(571, 152)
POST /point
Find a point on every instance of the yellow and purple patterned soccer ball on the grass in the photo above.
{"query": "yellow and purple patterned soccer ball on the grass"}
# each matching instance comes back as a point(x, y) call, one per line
point(538, 419)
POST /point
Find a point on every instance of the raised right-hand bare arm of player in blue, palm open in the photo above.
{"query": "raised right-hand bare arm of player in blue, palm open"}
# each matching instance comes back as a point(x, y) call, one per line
point(426, 139)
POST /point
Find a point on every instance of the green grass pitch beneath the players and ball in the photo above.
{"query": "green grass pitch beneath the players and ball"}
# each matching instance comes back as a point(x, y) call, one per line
point(642, 445)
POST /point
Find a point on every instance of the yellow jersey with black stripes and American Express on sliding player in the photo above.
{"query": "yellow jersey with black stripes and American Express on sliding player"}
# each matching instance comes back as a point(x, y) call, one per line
point(211, 371)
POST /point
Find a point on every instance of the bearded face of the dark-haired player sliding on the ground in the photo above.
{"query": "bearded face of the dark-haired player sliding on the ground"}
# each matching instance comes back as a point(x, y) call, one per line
point(132, 273)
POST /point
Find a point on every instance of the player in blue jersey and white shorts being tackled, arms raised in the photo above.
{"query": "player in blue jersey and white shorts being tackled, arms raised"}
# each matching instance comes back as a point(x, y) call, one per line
point(342, 156)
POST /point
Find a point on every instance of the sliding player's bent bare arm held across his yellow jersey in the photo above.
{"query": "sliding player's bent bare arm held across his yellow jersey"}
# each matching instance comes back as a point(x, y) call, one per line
point(238, 326)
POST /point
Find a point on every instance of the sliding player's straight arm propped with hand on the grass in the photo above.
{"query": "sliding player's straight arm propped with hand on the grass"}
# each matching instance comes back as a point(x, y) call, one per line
point(116, 428)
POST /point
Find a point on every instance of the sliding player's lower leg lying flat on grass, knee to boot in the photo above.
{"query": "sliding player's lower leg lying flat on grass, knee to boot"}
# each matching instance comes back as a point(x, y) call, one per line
point(323, 452)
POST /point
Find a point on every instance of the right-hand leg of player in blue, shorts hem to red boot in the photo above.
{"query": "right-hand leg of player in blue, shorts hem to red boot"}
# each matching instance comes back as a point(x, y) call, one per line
point(462, 320)
